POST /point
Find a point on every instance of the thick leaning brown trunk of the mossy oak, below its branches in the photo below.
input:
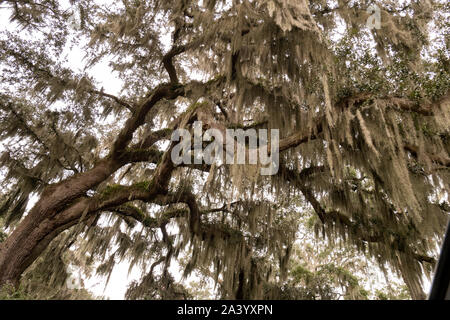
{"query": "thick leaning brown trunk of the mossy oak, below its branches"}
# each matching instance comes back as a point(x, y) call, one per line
point(59, 207)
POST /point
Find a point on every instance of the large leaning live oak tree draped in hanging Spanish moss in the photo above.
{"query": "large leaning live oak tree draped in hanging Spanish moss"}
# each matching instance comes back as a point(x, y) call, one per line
point(363, 115)
